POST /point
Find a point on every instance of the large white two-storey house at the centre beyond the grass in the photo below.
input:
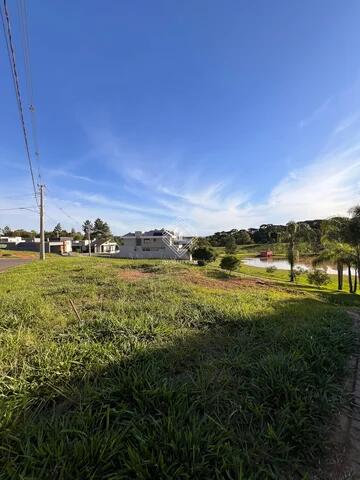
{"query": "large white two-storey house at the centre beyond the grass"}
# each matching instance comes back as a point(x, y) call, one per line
point(154, 244)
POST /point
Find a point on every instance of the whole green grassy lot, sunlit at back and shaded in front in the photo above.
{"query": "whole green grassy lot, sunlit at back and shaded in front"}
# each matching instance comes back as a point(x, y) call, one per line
point(171, 372)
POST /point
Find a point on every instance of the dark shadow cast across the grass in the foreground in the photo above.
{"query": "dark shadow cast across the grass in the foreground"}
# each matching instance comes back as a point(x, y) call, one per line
point(226, 398)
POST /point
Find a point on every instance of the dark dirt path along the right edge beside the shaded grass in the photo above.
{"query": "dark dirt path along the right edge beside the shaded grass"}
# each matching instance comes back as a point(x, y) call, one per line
point(343, 461)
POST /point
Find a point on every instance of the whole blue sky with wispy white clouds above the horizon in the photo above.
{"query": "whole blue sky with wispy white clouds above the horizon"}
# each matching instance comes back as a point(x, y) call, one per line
point(209, 114)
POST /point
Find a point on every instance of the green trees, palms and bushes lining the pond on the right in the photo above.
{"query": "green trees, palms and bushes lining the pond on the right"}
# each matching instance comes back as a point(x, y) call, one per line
point(335, 240)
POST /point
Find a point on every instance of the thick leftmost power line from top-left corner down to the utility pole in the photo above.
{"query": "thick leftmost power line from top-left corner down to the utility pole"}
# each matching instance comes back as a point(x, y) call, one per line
point(11, 54)
